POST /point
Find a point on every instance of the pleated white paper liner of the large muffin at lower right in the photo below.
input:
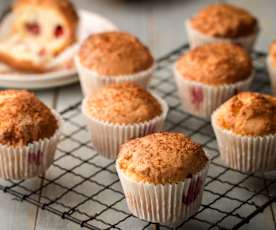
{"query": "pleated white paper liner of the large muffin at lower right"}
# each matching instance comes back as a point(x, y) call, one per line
point(245, 153)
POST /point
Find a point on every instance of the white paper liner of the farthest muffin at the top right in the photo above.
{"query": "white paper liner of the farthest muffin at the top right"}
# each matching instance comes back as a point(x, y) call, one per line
point(196, 38)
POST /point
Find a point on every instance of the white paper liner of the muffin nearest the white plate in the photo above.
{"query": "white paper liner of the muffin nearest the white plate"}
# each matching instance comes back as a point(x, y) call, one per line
point(91, 81)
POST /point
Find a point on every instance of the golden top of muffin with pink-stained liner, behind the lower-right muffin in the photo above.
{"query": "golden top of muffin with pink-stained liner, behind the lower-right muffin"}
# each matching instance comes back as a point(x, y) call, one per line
point(215, 64)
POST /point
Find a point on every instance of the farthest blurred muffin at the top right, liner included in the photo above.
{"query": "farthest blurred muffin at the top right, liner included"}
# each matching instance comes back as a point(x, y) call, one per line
point(222, 22)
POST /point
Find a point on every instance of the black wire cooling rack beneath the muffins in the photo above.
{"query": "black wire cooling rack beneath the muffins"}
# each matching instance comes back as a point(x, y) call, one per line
point(84, 188)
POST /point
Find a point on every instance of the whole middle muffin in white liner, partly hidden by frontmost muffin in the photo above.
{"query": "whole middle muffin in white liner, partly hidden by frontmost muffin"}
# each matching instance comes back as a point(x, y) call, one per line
point(119, 112)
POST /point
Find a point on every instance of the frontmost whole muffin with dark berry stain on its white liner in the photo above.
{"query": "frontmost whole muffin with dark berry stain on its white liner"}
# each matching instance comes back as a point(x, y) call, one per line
point(162, 176)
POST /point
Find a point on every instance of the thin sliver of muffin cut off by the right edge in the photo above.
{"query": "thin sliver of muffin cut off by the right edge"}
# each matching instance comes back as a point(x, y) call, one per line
point(271, 65)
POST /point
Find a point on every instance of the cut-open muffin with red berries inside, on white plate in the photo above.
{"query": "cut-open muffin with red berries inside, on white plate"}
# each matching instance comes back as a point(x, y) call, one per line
point(40, 31)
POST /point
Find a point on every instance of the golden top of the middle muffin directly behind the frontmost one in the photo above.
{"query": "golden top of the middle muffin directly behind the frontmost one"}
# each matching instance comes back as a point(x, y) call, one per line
point(123, 103)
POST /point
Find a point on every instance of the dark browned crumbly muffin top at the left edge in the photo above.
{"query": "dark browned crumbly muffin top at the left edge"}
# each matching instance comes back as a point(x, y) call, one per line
point(24, 118)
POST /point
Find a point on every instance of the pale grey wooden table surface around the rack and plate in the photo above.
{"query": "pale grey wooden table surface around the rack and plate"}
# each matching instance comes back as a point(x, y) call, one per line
point(160, 24)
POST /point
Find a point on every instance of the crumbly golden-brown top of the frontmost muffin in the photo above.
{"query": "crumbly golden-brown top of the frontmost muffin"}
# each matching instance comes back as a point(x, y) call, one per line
point(161, 158)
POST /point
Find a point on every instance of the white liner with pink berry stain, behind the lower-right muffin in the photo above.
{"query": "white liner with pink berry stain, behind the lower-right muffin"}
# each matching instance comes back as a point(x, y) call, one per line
point(201, 99)
